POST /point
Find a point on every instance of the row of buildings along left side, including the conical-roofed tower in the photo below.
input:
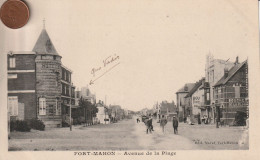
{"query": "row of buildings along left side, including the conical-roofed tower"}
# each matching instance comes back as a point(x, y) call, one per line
point(40, 86)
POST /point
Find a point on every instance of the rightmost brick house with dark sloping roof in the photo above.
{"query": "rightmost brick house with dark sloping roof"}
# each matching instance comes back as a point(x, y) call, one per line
point(231, 95)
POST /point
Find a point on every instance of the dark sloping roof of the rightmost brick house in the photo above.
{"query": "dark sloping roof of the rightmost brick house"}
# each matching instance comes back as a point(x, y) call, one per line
point(231, 73)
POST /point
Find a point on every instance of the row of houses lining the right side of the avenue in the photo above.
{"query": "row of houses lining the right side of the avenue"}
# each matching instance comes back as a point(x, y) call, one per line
point(220, 95)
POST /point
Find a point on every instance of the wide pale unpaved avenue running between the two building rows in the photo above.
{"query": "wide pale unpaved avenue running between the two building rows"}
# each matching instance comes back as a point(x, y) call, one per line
point(129, 135)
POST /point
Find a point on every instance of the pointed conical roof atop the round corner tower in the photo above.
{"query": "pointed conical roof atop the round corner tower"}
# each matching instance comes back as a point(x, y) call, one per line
point(44, 45)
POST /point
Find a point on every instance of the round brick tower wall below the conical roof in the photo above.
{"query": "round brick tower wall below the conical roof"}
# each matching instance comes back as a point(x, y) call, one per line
point(48, 83)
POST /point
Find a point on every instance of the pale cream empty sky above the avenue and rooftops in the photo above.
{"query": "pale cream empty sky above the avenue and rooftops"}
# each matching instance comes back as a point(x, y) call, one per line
point(161, 44)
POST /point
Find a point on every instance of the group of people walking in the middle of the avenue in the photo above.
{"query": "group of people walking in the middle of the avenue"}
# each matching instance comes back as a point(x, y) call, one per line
point(163, 121)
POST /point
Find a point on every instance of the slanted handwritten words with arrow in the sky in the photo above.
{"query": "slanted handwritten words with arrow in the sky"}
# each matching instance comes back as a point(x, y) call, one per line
point(107, 64)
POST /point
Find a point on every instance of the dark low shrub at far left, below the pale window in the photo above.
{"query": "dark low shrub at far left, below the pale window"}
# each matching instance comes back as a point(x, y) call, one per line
point(20, 125)
